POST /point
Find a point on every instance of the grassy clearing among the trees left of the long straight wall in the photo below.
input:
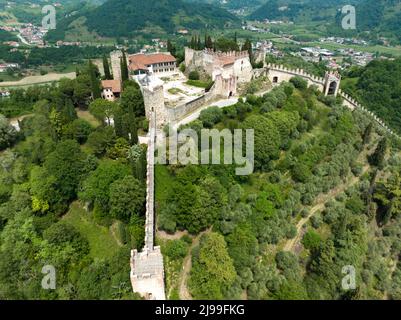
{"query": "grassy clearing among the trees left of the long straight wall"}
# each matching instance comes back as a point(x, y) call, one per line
point(101, 242)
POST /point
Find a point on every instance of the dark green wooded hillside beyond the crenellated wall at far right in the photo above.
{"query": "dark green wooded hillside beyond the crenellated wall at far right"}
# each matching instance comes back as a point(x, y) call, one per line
point(378, 87)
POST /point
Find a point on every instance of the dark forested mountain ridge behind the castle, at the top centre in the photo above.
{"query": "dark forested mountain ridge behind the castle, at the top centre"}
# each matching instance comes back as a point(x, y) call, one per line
point(123, 18)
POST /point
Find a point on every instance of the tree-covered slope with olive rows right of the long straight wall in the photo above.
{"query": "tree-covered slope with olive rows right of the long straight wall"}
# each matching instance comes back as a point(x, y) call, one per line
point(323, 196)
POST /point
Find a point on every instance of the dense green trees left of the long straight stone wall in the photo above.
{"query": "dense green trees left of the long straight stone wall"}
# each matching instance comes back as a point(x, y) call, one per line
point(62, 177)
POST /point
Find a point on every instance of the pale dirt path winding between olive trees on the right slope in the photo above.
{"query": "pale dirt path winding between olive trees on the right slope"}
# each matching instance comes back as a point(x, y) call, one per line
point(291, 244)
